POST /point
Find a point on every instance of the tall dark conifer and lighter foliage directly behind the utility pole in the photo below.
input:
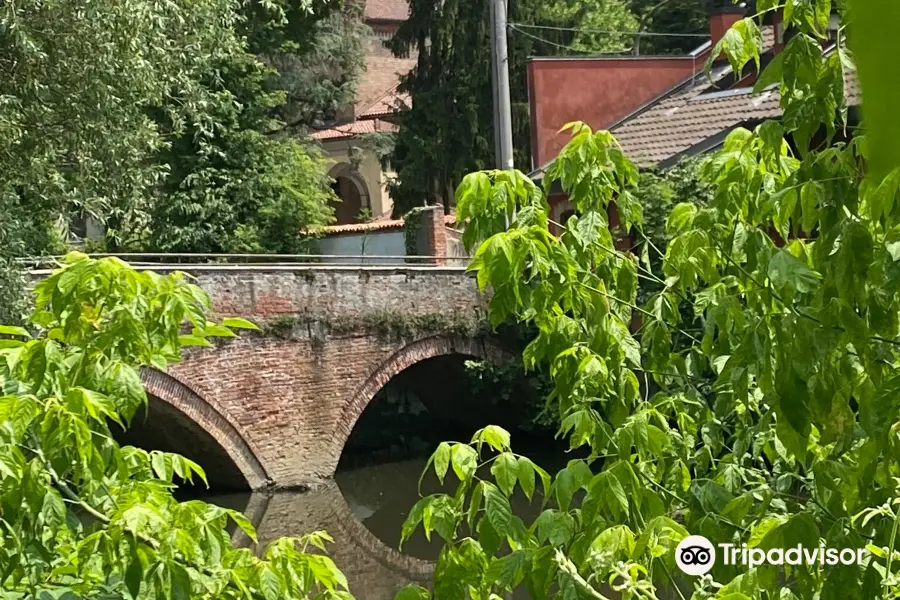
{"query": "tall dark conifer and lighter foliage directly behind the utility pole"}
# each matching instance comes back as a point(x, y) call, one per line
point(448, 130)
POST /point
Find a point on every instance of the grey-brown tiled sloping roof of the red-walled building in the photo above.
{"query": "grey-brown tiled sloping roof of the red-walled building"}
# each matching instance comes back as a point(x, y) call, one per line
point(695, 112)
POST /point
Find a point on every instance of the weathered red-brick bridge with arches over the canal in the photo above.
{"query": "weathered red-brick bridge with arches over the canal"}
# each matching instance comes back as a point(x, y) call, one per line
point(274, 409)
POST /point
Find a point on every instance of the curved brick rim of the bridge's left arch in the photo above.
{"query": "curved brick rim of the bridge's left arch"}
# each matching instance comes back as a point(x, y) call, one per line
point(177, 395)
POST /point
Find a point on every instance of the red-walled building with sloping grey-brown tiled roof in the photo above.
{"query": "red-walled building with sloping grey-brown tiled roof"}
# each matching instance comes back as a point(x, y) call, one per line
point(661, 109)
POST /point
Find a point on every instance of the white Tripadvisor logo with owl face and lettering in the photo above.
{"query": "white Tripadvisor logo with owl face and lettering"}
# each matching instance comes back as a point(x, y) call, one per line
point(696, 555)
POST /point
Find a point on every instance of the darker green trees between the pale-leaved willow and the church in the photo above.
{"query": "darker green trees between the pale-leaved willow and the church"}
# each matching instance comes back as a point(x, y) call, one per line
point(236, 182)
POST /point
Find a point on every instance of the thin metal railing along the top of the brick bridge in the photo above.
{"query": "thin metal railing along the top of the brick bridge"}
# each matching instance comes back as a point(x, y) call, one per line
point(286, 261)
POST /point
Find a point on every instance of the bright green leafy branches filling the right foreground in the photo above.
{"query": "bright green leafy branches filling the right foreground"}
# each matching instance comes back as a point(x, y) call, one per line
point(798, 441)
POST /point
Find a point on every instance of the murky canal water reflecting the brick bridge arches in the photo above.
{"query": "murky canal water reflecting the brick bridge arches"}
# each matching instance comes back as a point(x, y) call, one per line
point(364, 510)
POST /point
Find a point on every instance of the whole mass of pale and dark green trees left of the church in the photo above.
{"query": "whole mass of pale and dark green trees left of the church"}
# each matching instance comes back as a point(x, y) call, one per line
point(160, 120)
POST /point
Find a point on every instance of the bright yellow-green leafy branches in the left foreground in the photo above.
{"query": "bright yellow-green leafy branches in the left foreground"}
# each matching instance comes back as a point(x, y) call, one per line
point(83, 517)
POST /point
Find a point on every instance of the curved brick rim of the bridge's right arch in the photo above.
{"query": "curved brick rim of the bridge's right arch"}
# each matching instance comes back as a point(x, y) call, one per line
point(415, 352)
